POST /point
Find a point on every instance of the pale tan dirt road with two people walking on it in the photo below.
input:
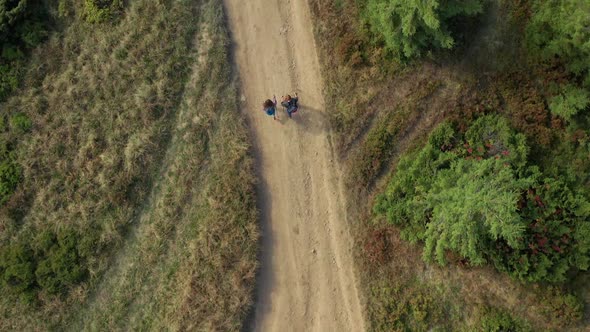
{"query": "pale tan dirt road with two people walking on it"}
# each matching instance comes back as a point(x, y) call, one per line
point(307, 281)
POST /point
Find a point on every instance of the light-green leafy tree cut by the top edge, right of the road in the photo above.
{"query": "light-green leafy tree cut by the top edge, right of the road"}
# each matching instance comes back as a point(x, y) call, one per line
point(408, 28)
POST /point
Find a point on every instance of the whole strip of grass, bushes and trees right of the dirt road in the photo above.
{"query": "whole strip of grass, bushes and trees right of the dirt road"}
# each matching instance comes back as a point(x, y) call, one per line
point(465, 132)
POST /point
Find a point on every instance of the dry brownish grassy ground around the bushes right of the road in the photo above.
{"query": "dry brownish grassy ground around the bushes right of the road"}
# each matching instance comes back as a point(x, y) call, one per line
point(389, 110)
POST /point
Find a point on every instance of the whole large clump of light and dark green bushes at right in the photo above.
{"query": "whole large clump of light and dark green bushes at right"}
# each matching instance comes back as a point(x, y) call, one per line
point(476, 195)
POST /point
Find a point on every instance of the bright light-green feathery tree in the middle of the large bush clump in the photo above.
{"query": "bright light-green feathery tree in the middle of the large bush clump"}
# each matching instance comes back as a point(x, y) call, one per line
point(473, 204)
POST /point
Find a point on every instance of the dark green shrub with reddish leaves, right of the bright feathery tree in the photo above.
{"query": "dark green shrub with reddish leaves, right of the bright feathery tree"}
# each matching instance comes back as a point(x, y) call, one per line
point(555, 234)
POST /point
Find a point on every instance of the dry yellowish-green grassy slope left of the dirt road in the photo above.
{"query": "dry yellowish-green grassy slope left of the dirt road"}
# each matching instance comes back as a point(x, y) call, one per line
point(137, 138)
